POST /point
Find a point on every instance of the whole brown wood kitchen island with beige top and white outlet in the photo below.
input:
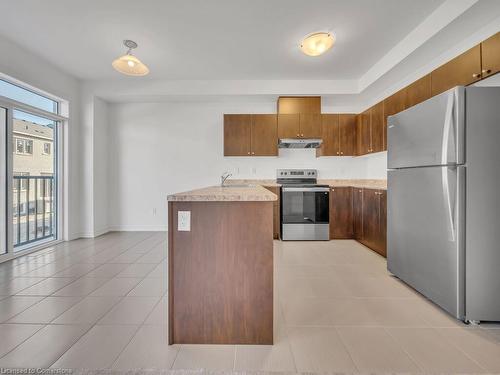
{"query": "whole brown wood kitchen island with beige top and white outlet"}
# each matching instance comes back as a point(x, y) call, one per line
point(220, 266)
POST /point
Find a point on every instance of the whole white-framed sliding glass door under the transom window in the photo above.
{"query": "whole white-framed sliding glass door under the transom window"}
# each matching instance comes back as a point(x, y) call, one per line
point(29, 178)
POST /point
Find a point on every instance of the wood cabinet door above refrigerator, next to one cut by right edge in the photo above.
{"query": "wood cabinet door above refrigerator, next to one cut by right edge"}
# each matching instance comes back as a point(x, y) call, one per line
point(461, 71)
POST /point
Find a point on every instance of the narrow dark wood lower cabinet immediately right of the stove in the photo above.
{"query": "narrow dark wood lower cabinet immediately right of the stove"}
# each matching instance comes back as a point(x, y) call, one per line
point(341, 223)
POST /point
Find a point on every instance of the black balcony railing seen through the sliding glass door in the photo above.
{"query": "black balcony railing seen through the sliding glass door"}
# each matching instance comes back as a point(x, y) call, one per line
point(33, 209)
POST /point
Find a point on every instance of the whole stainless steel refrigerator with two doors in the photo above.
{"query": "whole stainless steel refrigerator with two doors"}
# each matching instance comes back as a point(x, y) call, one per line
point(444, 200)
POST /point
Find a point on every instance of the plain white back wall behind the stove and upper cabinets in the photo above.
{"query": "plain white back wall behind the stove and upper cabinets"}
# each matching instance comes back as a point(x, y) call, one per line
point(161, 148)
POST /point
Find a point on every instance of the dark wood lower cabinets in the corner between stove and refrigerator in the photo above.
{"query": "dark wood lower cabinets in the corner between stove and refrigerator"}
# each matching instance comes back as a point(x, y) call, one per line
point(360, 214)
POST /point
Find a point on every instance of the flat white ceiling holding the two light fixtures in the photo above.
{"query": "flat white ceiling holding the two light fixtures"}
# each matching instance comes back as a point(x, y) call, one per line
point(212, 39)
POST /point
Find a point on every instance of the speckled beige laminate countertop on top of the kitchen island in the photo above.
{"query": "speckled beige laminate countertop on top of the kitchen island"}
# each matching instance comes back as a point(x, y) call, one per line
point(230, 193)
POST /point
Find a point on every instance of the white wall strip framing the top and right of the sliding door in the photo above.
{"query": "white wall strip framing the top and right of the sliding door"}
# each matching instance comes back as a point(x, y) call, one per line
point(28, 68)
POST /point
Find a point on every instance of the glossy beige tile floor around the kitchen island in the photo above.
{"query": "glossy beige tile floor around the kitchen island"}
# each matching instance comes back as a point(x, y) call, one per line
point(101, 303)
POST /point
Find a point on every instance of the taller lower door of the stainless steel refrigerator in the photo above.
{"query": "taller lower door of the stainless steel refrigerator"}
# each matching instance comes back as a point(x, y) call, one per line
point(425, 232)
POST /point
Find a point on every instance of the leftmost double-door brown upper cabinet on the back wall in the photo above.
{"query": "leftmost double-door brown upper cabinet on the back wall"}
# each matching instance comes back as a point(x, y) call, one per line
point(250, 135)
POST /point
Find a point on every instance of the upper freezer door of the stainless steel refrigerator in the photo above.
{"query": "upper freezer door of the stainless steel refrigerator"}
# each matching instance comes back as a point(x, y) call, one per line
point(430, 133)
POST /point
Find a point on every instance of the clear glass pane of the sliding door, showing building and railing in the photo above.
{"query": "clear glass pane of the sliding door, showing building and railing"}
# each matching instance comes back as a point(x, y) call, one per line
point(34, 179)
